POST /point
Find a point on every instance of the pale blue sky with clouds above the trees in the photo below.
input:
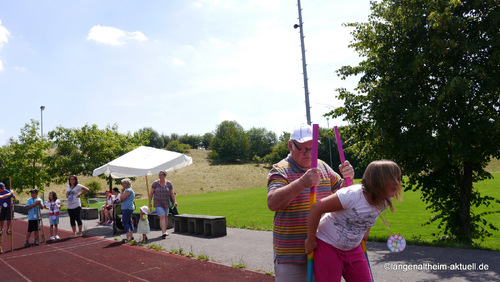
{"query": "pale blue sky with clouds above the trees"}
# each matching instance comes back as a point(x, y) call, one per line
point(176, 66)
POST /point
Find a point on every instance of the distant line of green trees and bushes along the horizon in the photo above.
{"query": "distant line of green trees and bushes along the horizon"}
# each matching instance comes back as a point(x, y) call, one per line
point(35, 161)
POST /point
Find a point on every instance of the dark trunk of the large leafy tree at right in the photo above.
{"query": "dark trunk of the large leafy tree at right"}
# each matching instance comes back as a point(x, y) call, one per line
point(465, 198)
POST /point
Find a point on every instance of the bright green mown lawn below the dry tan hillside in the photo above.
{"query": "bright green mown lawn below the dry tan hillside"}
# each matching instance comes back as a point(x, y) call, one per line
point(248, 209)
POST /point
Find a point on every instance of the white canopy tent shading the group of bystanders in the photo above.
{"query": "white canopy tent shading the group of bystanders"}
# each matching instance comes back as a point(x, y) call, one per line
point(143, 161)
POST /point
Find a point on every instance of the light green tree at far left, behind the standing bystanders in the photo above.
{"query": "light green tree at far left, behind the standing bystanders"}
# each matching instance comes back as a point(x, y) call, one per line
point(23, 160)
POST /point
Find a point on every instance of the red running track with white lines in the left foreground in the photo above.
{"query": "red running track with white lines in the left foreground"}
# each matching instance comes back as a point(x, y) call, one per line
point(96, 259)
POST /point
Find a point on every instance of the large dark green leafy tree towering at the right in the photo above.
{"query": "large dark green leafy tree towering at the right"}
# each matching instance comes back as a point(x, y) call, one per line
point(428, 98)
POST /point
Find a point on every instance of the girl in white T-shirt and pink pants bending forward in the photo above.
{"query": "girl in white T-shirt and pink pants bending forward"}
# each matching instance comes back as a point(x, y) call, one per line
point(349, 214)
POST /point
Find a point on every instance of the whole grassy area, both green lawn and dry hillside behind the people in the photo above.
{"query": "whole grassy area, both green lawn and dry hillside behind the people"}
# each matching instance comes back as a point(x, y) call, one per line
point(228, 190)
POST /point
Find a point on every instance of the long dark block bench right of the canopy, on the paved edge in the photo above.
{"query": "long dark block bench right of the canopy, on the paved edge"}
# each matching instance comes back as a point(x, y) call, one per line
point(212, 226)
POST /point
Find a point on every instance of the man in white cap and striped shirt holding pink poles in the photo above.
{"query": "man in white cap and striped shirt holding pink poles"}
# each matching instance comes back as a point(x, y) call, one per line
point(288, 185)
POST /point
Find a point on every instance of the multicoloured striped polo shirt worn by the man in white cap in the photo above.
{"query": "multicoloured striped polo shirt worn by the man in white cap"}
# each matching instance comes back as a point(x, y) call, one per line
point(290, 223)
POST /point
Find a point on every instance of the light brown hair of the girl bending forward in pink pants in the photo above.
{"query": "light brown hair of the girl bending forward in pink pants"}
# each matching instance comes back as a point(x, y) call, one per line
point(379, 175)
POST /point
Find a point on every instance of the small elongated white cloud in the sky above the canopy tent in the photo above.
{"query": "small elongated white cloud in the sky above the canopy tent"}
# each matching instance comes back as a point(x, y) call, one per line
point(113, 36)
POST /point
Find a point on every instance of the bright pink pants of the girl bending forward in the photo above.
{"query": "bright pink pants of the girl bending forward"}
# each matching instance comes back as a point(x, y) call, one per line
point(330, 264)
